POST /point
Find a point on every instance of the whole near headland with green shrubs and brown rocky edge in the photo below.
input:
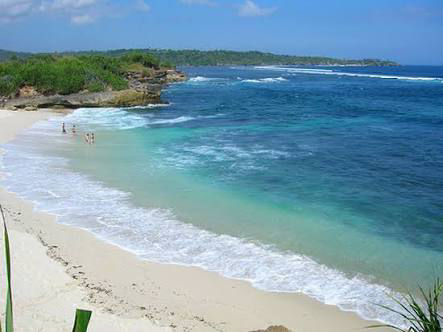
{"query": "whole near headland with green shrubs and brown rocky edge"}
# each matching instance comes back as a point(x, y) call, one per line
point(49, 81)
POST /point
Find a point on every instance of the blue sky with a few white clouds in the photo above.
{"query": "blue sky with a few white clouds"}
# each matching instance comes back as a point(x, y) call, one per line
point(406, 31)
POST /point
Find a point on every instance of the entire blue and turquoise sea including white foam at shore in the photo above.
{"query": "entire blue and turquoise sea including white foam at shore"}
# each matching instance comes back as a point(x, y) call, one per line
point(326, 181)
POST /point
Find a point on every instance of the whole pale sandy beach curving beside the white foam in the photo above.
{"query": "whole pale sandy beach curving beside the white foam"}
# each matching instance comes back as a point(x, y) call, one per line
point(57, 268)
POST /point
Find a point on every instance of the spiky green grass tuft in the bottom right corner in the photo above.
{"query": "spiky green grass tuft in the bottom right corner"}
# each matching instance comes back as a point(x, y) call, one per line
point(421, 318)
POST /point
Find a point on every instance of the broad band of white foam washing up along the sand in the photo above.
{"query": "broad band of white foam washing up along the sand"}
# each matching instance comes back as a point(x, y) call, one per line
point(157, 235)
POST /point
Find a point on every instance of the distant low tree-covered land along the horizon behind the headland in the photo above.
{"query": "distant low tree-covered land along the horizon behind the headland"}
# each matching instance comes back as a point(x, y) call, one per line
point(225, 57)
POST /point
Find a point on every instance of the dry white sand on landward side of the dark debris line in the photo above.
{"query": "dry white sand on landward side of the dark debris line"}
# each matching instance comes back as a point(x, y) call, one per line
point(44, 295)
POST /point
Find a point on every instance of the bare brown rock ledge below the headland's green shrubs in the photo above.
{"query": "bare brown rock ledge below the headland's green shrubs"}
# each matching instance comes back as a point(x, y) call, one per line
point(143, 88)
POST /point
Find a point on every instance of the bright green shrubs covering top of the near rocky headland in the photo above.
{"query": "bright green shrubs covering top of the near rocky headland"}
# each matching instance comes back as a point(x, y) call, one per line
point(66, 74)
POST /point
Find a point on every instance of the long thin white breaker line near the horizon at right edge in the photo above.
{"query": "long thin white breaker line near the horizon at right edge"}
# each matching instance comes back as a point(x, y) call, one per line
point(332, 72)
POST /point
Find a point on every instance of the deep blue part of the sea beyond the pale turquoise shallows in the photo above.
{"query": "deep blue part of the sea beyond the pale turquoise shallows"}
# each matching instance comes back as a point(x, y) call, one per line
point(370, 147)
